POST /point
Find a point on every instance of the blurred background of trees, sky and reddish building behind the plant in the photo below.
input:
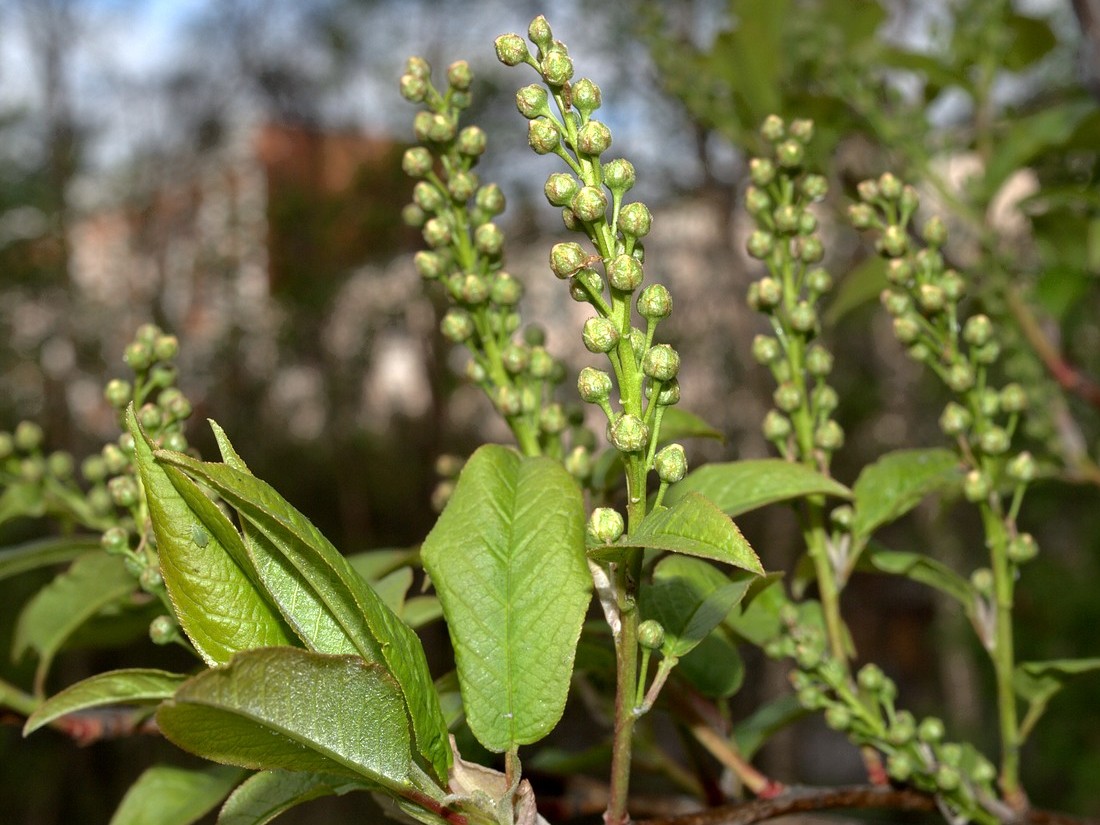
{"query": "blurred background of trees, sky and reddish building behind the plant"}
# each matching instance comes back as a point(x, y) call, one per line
point(230, 170)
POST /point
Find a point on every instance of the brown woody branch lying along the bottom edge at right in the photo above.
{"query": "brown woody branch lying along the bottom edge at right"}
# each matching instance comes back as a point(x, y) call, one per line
point(804, 800)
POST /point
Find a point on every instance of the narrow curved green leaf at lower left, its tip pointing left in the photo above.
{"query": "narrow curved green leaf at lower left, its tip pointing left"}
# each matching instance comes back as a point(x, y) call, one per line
point(133, 687)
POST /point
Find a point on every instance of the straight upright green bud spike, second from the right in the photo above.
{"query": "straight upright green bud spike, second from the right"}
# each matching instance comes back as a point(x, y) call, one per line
point(780, 200)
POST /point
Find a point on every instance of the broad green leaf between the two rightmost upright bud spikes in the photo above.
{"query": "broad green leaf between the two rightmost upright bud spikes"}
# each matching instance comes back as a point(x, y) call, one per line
point(896, 485)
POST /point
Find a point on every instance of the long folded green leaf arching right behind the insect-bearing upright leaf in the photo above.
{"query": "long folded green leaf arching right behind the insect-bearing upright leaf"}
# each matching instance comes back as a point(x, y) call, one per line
point(323, 598)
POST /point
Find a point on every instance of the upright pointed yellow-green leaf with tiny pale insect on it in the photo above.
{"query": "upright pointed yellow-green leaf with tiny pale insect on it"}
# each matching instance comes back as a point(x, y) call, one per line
point(204, 564)
